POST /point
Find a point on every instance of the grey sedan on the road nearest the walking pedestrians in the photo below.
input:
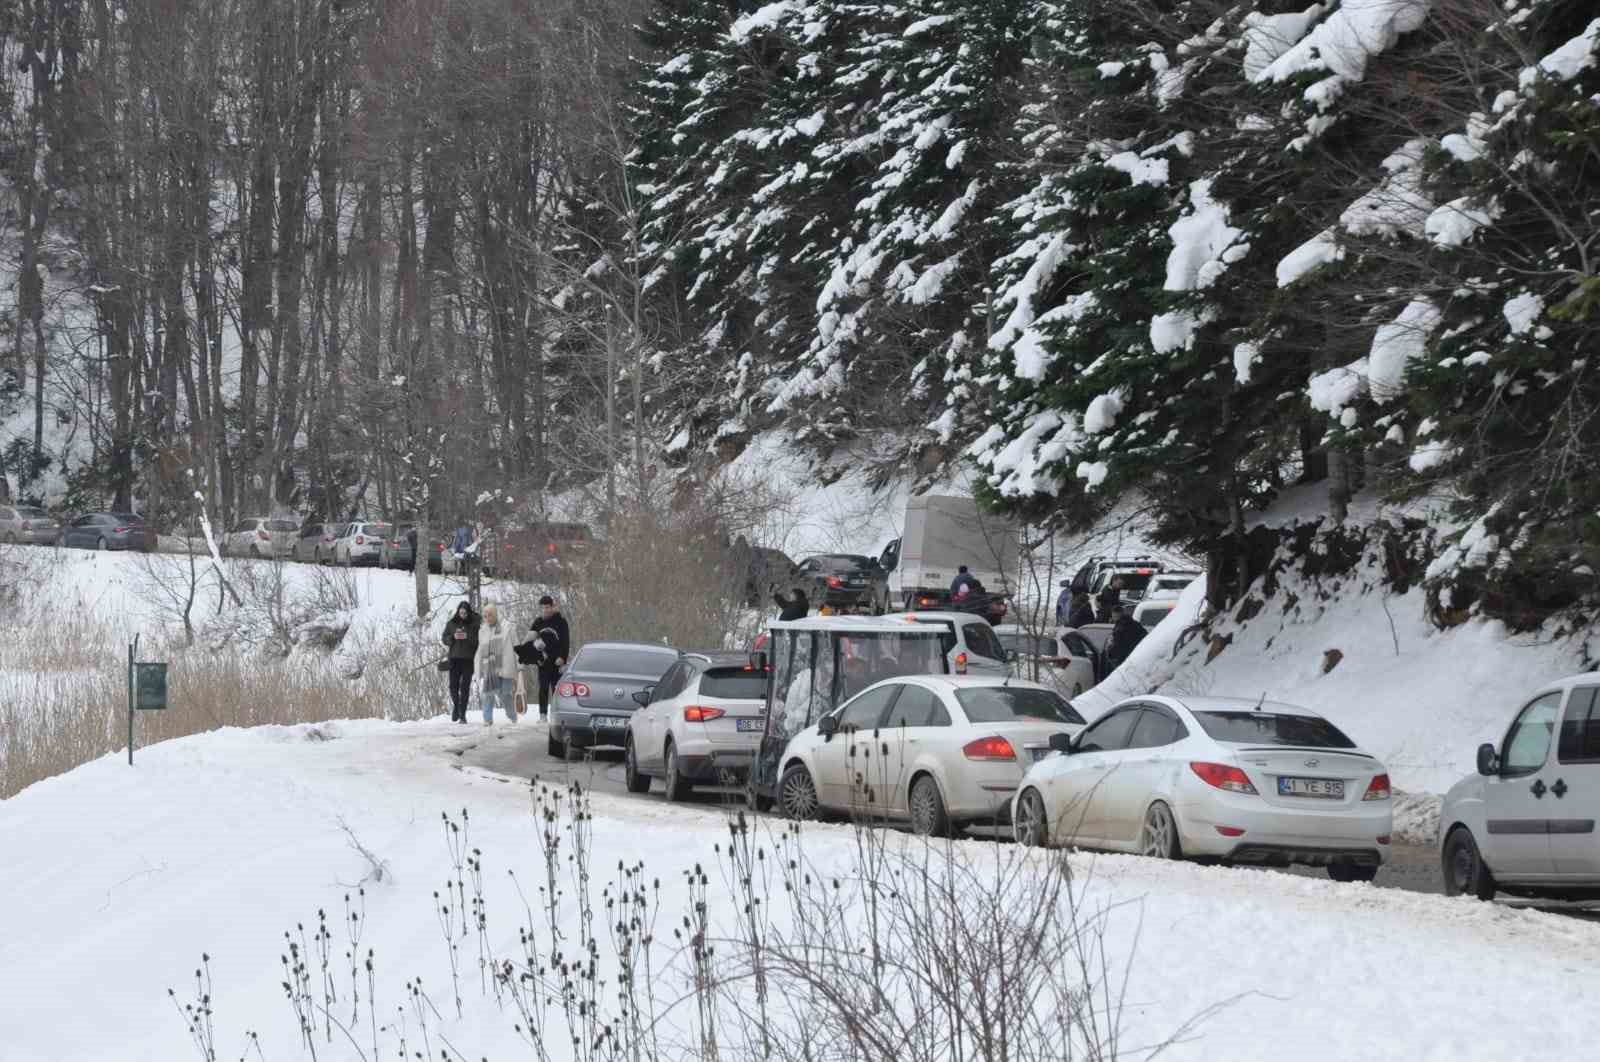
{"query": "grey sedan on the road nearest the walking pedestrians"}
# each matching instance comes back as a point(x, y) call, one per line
point(594, 700)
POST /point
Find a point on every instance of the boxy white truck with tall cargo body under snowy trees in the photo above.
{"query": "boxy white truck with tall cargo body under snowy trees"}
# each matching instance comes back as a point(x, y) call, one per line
point(938, 537)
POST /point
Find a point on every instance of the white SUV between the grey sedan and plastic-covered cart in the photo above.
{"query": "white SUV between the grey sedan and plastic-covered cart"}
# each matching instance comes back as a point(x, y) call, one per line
point(702, 724)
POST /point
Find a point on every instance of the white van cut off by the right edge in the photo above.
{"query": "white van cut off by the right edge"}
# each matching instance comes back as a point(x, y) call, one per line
point(1526, 821)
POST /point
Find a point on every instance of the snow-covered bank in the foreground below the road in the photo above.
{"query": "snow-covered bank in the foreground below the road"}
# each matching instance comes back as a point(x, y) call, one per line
point(121, 879)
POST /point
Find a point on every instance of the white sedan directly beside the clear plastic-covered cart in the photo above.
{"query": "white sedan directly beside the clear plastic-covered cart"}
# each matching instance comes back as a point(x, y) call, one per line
point(938, 751)
